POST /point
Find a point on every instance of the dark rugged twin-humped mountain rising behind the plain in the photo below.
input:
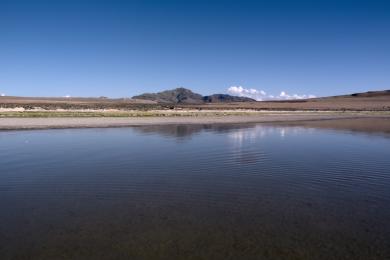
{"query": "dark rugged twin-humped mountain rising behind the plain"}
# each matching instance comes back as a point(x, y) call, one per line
point(186, 96)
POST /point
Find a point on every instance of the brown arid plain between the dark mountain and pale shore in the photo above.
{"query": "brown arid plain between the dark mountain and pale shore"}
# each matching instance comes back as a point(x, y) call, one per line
point(370, 101)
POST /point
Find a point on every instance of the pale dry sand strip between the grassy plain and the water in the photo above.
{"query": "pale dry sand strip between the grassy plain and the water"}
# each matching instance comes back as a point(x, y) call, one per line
point(100, 122)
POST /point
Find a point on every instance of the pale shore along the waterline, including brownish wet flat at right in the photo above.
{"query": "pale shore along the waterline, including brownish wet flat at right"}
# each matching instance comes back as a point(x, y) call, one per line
point(315, 119)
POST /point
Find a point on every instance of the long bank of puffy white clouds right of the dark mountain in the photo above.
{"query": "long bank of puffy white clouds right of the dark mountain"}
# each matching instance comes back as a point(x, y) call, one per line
point(261, 95)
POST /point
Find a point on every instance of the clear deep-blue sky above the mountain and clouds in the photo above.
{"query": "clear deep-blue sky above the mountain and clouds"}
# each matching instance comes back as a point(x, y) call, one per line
point(123, 48)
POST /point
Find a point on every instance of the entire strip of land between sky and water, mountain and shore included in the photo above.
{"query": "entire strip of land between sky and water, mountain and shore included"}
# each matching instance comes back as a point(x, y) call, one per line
point(178, 107)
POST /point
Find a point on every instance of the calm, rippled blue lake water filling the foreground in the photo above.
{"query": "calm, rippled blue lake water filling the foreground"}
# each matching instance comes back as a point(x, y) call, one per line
point(194, 192)
